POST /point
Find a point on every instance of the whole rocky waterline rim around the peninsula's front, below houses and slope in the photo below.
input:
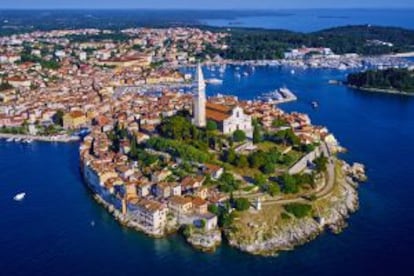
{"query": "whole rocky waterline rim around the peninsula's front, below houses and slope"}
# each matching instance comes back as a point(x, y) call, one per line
point(332, 213)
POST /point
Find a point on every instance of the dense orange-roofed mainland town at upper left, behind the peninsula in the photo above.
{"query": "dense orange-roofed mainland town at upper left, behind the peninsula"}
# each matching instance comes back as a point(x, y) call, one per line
point(88, 71)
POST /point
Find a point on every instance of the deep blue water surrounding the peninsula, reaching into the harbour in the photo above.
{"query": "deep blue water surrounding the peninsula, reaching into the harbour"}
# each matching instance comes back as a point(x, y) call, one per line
point(50, 232)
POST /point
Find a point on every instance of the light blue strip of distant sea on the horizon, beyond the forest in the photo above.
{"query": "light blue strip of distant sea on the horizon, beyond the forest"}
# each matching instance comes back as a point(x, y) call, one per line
point(318, 19)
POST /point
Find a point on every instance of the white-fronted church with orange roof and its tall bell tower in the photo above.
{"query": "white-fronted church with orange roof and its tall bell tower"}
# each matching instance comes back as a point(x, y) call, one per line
point(227, 118)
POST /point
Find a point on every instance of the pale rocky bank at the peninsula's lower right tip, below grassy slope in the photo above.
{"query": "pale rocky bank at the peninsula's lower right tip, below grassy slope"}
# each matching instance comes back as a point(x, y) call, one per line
point(333, 212)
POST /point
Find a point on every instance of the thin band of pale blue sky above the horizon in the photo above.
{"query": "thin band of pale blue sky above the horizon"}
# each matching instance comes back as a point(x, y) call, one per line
point(202, 4)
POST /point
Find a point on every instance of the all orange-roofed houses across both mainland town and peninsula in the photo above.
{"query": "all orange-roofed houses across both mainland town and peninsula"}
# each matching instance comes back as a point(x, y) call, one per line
point(84, 91)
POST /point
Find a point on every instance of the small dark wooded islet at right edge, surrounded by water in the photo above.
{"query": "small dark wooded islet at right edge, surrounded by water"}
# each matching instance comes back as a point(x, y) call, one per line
point(391, 80)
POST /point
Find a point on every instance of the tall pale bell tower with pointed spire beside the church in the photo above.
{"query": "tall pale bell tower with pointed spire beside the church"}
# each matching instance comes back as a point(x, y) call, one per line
point(199, 100)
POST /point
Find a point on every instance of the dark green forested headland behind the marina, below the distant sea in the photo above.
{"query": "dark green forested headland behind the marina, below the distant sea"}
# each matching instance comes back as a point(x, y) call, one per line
point(250, 44)
